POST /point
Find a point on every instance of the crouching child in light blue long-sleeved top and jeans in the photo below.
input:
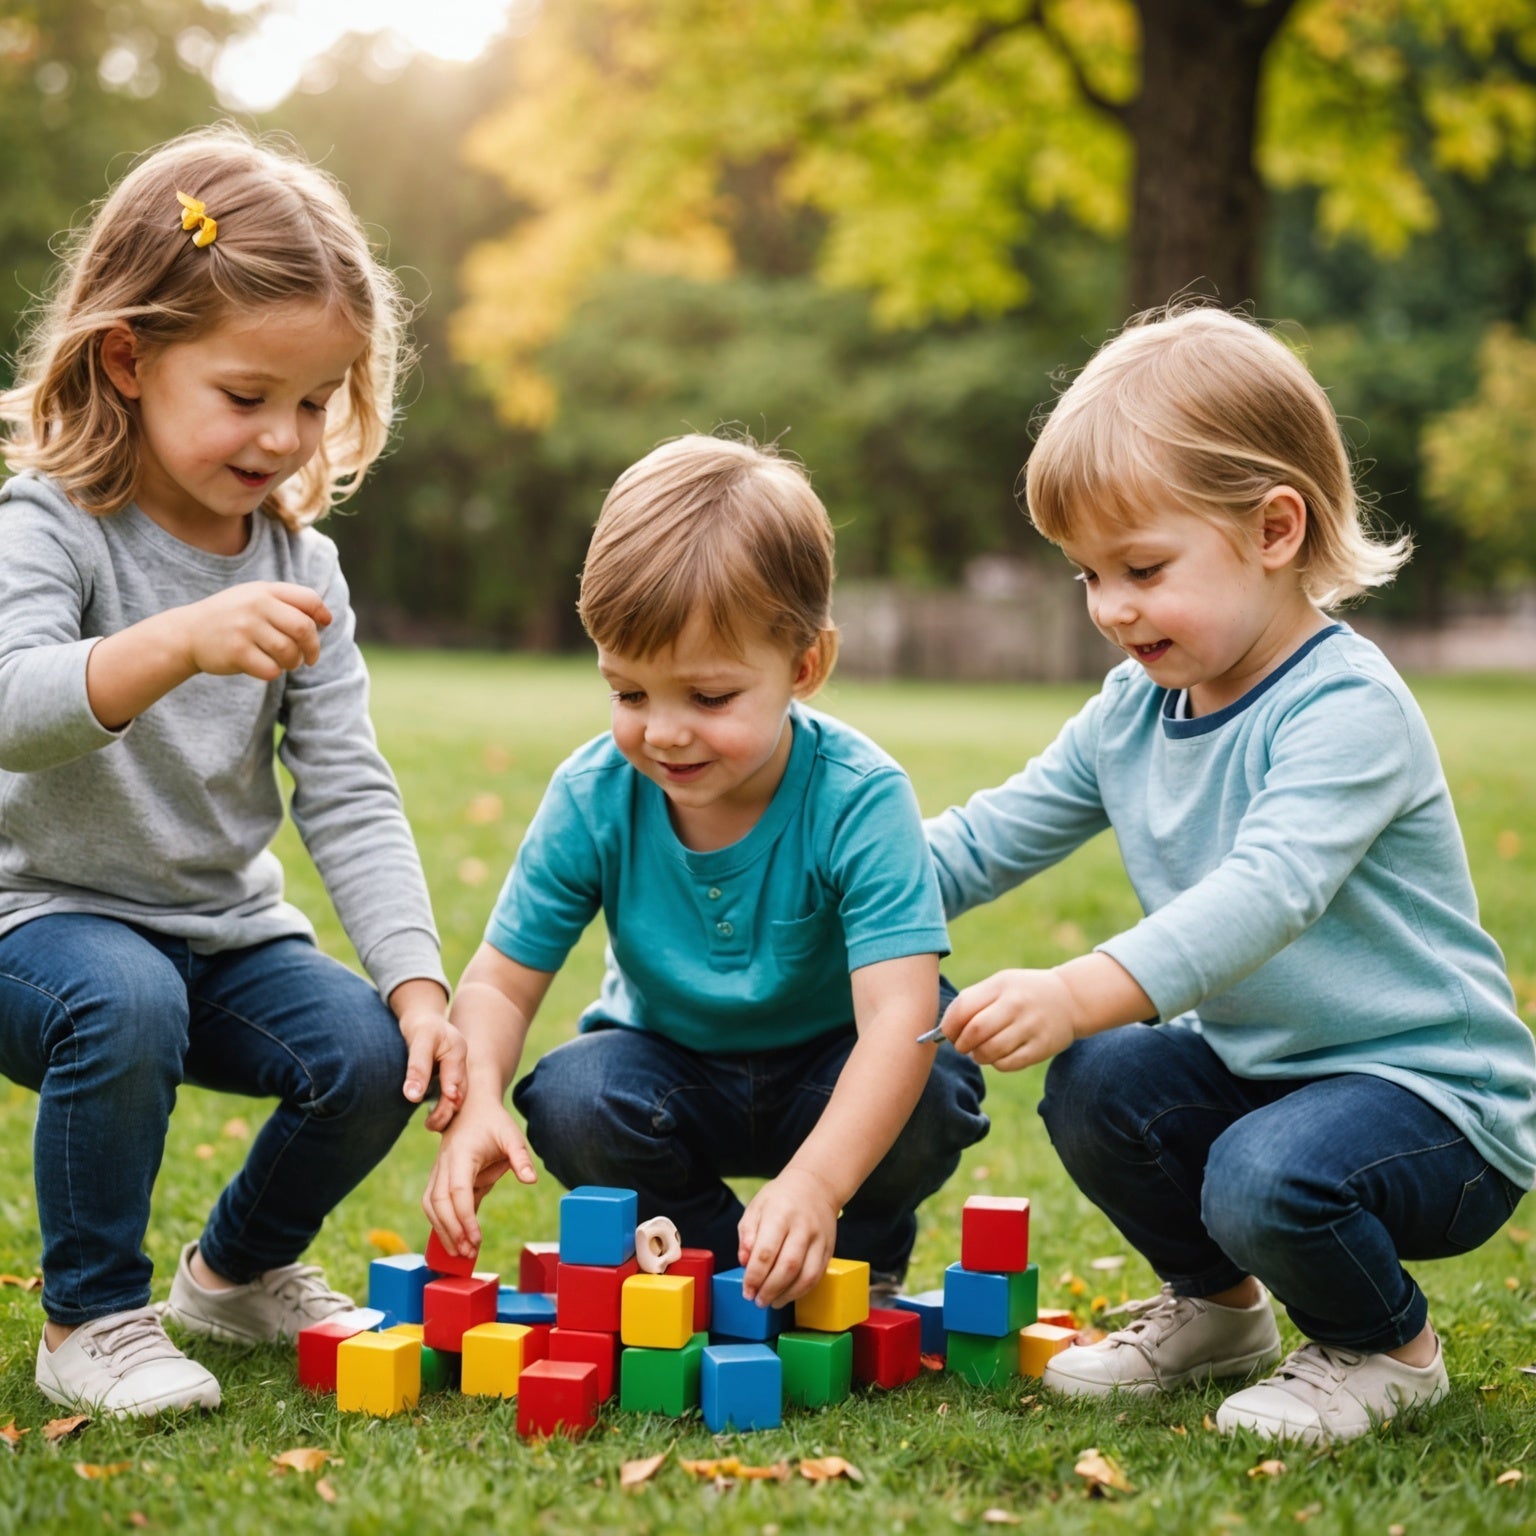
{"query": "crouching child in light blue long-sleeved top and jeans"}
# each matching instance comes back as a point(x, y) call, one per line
point(1303, 1065)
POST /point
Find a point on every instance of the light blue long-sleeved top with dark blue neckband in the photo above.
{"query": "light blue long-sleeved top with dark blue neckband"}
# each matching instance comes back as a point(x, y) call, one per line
point(1305, 882)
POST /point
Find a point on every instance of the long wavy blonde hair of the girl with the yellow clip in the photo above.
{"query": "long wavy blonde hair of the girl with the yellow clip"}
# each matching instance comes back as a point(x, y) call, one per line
point(285, 236)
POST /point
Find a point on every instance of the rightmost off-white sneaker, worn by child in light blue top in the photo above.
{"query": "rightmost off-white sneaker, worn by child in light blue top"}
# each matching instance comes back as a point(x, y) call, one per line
point(1326, 1394)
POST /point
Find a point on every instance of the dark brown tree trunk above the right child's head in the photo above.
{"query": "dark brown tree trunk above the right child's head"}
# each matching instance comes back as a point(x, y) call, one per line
point(1197, 213)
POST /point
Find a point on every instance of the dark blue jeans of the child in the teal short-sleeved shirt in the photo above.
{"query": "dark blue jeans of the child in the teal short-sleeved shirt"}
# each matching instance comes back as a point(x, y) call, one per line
point(631, 1108)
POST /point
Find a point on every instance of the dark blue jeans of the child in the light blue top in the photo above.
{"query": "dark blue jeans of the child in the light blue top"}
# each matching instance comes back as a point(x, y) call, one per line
point(1319, 1187)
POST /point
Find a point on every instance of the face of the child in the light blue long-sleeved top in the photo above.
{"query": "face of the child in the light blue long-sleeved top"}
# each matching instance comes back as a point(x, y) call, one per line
point(1199, 607)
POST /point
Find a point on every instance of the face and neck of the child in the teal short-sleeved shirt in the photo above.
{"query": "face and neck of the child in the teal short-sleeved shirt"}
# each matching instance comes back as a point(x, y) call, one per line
point(709, 727)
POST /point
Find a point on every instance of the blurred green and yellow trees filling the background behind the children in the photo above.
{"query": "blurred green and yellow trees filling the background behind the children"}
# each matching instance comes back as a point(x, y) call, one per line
point(882, 233)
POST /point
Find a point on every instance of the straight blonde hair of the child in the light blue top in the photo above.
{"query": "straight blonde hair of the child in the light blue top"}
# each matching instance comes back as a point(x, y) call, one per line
point(1208, 412)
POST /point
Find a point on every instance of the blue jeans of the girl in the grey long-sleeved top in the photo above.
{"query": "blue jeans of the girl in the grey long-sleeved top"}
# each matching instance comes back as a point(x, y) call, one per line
point(105, 1021)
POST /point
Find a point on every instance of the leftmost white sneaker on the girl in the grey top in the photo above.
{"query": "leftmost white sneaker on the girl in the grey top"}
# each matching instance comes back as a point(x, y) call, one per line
point(124, 1365)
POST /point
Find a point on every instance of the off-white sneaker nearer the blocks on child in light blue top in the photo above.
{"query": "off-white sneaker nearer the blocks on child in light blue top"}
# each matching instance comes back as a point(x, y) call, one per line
point(1170, 1342)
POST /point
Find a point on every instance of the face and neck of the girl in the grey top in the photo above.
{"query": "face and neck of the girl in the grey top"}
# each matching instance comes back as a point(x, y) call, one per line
point(230, 417)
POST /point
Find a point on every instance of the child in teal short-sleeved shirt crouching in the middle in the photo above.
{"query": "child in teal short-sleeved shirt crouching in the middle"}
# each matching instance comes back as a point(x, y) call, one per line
point(773, 918)
